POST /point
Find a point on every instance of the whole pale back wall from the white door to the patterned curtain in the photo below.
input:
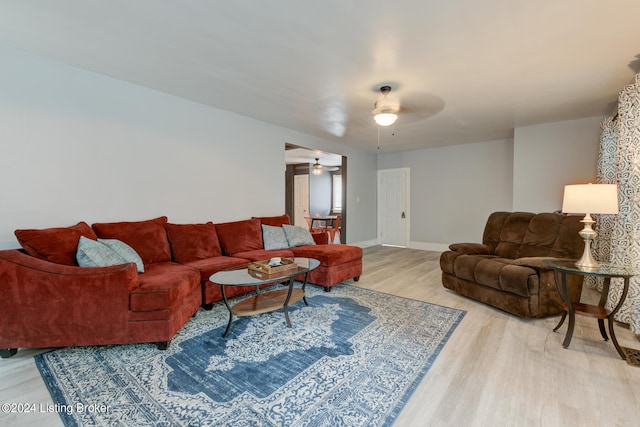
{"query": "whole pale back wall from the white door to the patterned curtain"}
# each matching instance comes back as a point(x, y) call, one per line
point(455, 188)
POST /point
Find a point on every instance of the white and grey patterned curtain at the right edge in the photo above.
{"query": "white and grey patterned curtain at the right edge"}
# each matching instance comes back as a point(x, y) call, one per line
point(619, 162)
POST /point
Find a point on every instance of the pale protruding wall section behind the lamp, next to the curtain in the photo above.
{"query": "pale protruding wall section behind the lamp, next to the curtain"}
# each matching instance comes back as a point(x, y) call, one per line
point(549, 156)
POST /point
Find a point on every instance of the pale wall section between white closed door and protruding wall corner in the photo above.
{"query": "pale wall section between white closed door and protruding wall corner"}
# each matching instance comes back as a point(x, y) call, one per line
point(454, 189)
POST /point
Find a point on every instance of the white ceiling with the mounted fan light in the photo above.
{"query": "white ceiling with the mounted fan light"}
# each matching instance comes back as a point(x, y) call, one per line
point(463, 70)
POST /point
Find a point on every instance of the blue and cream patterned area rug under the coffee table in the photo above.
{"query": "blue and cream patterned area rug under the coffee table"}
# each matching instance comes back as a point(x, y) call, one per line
point(353, 357)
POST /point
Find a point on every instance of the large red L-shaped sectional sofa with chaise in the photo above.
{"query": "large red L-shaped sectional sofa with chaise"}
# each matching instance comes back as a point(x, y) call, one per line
point(47, 300)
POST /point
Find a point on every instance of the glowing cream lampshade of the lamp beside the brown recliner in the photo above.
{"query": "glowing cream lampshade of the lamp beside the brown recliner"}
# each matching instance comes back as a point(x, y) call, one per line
point(590, 199)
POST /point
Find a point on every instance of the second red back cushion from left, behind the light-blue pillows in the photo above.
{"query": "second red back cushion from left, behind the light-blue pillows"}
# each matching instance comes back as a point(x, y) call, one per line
point(148, 238)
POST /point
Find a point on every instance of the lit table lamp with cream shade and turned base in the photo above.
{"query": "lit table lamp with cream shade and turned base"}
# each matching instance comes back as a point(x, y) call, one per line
point(587, 199)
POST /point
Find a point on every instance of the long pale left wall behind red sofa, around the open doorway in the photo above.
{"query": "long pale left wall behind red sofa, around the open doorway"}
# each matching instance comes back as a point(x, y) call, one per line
point(75, 145)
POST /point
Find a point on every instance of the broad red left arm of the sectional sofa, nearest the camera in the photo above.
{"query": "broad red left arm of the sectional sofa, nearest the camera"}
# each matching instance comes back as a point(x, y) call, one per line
point(44, 304)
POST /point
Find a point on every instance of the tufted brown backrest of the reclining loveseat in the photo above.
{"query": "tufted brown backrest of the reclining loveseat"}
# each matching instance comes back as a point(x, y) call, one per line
point(524, 234)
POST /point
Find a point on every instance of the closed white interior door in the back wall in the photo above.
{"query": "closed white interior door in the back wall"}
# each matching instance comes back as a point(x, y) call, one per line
point(393, 207)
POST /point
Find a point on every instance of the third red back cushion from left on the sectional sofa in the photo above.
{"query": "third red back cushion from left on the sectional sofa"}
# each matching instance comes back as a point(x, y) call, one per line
point(193, 242)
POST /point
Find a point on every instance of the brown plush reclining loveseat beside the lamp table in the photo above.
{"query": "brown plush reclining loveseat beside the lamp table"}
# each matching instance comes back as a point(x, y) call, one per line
point(506, 271)
